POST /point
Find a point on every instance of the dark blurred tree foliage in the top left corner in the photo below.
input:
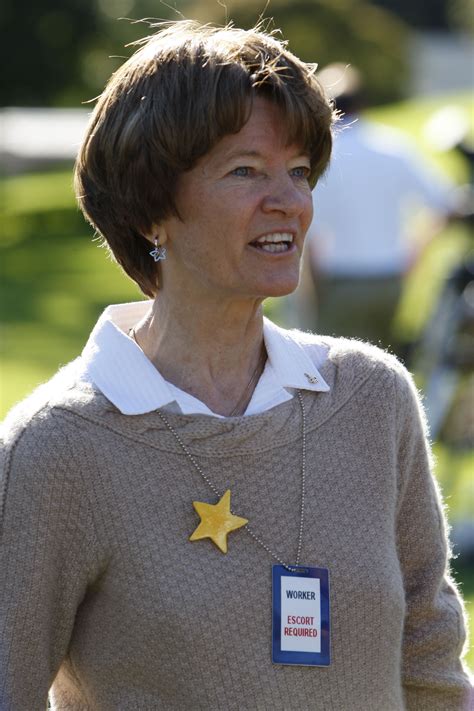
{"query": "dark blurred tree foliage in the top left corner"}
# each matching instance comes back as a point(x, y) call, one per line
point(61, 52)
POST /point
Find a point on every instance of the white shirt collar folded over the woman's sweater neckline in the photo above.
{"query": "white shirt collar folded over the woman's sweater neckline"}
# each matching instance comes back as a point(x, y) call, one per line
point(121, 371)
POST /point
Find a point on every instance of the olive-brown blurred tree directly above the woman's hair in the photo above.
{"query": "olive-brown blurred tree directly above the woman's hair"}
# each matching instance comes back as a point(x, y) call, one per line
point(323, 31)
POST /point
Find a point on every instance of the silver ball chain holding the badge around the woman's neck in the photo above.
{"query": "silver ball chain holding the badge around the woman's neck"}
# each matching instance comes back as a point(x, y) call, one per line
point(247, 528)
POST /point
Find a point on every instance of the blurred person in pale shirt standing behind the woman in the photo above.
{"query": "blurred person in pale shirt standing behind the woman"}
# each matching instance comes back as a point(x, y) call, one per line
point(361, 241)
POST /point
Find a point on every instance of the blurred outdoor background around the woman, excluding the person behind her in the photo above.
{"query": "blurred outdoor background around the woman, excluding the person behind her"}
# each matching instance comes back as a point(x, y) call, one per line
point(417, 62)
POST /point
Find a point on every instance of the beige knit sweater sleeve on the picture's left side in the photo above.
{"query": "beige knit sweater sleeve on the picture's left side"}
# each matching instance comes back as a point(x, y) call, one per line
point(48, 557)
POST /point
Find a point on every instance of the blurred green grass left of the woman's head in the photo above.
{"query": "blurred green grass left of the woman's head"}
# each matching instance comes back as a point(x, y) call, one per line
point(55, 281)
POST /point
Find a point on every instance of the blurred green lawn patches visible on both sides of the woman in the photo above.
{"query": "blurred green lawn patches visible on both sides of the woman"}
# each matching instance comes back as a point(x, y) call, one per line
point(56, 280)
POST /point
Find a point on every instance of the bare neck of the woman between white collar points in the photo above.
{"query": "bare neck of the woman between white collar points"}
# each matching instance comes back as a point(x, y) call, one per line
point(214, 353)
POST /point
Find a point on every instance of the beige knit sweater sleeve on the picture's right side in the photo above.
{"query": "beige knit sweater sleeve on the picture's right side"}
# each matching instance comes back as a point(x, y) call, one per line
point(434, 633)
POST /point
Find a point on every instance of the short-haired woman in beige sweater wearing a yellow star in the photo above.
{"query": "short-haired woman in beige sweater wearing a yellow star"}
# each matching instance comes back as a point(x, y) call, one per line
point(150, 487)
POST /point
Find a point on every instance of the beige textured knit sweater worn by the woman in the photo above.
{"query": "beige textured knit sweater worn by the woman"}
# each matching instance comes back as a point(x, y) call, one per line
point(103, 596)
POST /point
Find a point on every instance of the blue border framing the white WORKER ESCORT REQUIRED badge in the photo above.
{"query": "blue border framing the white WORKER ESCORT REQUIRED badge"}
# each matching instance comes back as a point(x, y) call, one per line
point(321, 659)
